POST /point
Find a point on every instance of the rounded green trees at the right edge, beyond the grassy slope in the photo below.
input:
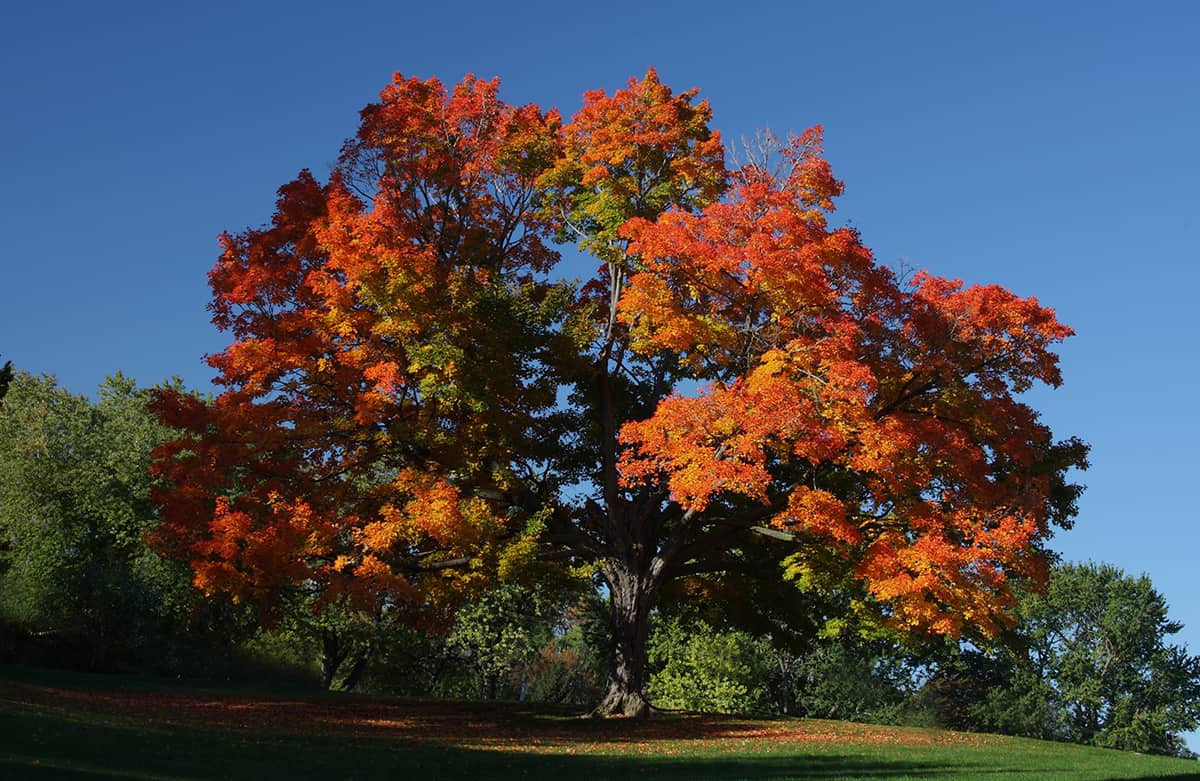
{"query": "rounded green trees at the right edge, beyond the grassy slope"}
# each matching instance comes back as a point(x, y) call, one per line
point(1090, 664)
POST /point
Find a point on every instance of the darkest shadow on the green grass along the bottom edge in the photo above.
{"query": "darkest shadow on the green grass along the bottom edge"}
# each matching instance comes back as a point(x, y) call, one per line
point(49, 746)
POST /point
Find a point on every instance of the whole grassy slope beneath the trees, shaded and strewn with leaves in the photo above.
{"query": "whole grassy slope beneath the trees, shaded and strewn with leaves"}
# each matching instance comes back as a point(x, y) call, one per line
point(77, 726)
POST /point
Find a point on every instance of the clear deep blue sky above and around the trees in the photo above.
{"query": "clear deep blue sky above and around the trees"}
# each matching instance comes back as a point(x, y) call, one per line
point(1054, 151)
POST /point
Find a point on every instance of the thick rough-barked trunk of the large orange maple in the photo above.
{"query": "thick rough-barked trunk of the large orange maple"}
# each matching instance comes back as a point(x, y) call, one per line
point(633, 597)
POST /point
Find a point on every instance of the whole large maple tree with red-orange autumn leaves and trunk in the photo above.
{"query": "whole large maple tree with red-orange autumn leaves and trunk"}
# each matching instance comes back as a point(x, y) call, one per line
point(415, 398)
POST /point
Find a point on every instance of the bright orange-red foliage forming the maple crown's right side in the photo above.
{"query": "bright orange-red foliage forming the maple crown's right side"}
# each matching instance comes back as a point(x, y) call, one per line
point(890, 408)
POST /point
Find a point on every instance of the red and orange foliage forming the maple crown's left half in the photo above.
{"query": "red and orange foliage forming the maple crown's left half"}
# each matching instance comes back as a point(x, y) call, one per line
point(367, 343)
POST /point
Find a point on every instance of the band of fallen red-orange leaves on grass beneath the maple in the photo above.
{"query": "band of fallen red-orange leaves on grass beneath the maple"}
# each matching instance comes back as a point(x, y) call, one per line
point(491, 724)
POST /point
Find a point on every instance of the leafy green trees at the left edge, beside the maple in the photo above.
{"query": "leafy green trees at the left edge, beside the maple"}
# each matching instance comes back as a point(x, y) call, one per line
point(76, 580)
